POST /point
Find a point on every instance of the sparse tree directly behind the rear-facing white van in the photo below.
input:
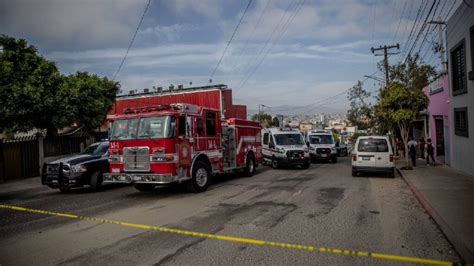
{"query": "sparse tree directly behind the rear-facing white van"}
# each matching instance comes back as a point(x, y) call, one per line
point(360, 113)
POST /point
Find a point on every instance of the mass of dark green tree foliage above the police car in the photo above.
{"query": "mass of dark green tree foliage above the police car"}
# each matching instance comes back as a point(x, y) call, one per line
point(33, 94)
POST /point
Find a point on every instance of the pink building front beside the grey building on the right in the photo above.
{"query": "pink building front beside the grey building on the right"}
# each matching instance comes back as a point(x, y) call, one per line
point(438, 118)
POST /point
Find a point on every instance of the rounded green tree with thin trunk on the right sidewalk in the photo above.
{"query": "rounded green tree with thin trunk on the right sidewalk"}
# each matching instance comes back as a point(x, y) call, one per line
point(400, 105)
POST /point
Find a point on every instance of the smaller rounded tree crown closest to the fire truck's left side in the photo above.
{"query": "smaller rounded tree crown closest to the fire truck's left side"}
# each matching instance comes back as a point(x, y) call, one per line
point(90, 98)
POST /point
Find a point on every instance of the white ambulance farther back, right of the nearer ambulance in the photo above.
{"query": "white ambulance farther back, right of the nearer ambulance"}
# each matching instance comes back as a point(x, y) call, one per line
point(321, 146)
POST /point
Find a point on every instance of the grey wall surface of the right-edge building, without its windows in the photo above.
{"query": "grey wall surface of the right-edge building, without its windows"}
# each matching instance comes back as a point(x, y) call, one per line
point(458, 27)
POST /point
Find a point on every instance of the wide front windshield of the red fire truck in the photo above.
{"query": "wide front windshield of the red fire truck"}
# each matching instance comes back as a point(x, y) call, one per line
point(158, 127)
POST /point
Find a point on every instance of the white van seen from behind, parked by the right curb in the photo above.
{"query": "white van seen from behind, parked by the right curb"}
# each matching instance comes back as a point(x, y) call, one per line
point(373, 154)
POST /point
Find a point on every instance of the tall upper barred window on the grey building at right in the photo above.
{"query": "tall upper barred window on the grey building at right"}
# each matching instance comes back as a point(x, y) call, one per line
point(458, 66)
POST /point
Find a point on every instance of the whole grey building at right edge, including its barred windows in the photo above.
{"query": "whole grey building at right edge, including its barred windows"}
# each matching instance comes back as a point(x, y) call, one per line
point(460, 40)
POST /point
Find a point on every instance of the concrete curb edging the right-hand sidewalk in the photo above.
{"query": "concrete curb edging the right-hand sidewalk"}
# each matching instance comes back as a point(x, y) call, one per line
point(459, 247)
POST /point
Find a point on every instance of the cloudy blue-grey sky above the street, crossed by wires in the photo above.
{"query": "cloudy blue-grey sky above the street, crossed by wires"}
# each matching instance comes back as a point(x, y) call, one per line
point(284, 53)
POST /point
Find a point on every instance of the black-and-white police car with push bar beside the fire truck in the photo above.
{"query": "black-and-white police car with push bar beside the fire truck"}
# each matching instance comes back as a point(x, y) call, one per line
point(84, 169)
